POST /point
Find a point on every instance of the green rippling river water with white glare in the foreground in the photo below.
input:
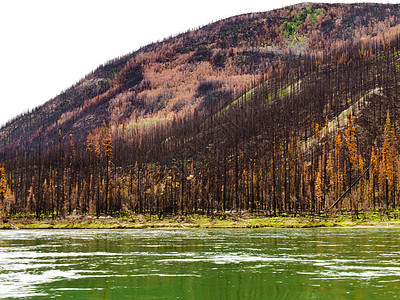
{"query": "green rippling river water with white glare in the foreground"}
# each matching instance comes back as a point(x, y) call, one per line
point(201, 264)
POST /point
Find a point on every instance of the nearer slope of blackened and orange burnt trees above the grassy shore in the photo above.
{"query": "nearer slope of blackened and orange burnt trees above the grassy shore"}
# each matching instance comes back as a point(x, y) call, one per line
point(309, 135)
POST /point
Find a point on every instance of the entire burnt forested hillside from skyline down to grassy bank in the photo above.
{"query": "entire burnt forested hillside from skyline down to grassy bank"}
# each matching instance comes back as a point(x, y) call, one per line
point(292, 111)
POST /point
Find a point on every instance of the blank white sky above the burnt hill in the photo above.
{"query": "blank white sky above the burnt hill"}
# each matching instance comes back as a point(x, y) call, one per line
point(48, 45)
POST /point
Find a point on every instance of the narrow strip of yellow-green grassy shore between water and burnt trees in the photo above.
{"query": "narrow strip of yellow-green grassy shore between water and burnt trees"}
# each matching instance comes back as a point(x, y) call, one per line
point(245, 220)
